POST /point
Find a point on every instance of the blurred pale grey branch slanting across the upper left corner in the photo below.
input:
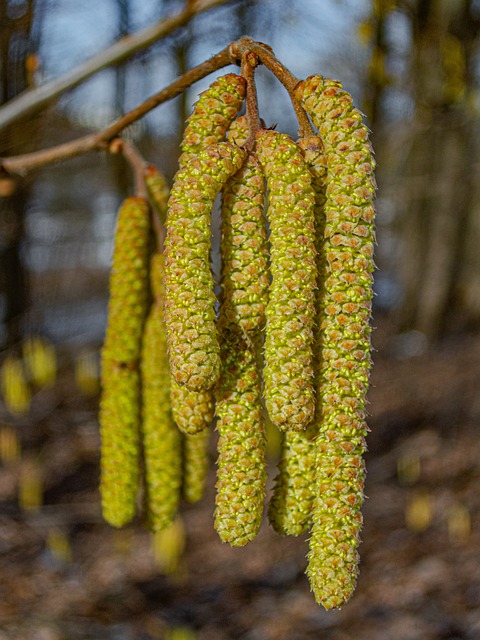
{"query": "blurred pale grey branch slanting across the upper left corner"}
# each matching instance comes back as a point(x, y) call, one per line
point(34, 100)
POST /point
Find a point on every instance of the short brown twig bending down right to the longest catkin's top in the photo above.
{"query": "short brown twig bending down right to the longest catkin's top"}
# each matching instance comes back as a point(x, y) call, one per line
point(265, 54)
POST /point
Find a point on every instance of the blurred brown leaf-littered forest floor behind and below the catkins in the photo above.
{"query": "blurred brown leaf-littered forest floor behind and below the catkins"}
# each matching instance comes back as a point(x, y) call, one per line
point(66, 575)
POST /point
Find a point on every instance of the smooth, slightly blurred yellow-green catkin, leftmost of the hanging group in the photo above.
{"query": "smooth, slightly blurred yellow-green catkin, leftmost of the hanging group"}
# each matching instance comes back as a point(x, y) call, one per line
point(120, 400)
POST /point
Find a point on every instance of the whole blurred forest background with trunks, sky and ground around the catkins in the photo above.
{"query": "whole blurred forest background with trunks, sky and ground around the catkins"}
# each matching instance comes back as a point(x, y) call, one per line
point(413, 68)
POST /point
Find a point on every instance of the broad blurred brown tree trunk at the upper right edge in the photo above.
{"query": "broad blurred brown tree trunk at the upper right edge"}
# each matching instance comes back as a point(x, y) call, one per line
point(438, 185)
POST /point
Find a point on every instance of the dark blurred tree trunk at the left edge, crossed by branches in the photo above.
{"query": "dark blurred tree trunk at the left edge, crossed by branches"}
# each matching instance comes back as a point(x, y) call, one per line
point(18, 63)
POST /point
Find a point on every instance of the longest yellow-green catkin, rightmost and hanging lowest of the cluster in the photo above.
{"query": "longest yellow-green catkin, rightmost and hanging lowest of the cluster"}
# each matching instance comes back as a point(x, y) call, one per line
point(345, 349)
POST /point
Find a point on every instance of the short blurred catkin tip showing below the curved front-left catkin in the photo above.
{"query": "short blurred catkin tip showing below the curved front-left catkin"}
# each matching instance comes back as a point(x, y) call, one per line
point(196, 461)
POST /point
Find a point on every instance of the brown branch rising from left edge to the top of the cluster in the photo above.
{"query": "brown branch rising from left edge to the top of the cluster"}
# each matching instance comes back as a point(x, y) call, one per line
point(101, 140)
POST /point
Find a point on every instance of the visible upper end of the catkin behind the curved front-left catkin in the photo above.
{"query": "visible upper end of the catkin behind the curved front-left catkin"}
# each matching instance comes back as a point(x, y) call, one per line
point(212, 115)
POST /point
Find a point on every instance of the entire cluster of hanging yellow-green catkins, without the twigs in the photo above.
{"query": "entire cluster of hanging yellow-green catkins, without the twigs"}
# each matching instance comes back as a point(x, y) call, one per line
point(290, 338)
